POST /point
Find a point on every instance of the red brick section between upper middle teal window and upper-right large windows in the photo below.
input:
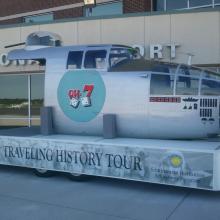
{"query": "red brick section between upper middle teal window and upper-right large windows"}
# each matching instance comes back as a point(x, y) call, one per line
point(133, 6)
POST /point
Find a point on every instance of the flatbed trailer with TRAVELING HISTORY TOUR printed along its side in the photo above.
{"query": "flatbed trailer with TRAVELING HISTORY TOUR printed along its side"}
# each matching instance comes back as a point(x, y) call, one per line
point(189, 163)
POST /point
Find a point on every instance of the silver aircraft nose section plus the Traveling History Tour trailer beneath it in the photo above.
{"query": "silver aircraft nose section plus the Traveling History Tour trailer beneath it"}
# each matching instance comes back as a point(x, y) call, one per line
point(108, 112)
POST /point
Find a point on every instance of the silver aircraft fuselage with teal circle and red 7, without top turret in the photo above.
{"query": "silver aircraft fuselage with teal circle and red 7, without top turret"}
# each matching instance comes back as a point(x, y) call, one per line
point(148, 102)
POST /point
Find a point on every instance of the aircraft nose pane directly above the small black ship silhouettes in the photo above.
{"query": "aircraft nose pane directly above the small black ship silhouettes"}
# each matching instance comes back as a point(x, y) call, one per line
point(187, 86)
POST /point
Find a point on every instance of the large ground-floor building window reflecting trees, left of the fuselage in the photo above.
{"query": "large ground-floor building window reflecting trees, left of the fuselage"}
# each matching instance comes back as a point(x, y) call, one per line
point(21, 97)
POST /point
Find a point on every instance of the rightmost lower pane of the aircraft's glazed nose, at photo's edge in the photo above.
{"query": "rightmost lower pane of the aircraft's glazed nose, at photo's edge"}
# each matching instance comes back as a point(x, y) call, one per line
point(210, 87)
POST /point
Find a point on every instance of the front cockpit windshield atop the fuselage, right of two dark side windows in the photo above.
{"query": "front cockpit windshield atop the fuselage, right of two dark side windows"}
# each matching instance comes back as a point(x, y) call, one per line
point(118, 55)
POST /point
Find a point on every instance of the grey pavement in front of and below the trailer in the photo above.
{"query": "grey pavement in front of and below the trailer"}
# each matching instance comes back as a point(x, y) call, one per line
point(28, 197)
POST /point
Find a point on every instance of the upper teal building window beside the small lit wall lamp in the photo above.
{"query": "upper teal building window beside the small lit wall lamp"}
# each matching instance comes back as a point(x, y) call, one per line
point(112, 8)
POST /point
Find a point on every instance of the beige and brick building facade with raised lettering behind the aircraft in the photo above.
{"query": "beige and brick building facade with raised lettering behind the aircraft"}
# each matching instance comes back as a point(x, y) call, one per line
point(168, 30)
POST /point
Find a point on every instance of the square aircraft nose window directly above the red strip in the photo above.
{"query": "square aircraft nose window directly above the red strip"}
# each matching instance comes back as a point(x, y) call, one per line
point(161, 84)
